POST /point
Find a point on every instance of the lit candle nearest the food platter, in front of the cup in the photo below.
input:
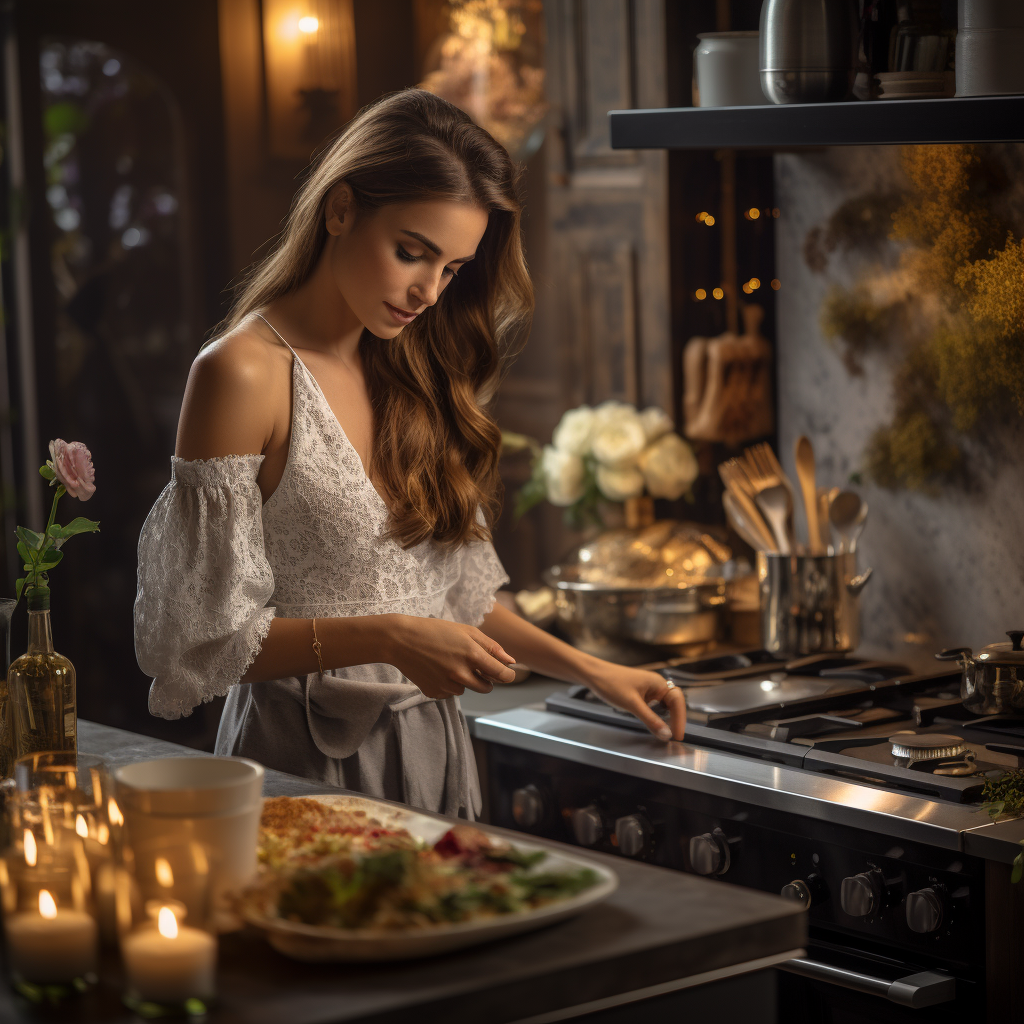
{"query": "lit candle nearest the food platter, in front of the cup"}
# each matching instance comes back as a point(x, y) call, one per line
point(170, 963)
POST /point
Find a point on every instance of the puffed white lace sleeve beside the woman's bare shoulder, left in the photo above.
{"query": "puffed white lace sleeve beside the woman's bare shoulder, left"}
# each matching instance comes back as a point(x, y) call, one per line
point(204, 583)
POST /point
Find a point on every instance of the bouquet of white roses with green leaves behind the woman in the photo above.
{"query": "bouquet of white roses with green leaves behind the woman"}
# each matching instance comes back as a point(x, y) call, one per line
point(611, 453)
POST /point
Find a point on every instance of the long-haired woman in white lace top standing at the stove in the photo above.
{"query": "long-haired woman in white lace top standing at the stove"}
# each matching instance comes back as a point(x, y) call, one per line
point(322, 554)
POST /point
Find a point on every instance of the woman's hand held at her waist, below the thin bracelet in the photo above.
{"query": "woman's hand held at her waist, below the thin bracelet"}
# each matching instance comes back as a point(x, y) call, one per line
point(446, 659)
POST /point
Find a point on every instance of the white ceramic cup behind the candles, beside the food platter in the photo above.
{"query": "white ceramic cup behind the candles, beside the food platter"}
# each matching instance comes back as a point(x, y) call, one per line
point(214, 801)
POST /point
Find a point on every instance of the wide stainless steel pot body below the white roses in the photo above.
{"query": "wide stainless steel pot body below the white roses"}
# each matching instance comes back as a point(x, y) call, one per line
point(617, 622)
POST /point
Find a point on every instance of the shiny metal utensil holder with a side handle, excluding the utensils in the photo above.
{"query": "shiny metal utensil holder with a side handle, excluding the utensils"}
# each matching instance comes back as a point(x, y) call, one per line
point(809, 604)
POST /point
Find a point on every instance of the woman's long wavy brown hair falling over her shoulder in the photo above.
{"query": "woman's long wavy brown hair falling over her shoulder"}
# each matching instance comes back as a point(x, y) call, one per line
point(436, 448)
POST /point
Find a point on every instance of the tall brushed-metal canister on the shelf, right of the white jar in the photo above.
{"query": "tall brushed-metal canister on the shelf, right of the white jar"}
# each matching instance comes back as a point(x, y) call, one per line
point(808, 51)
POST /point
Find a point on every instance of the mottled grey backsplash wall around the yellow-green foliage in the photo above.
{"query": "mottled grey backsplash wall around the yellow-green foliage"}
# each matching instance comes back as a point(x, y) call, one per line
point(949, 568)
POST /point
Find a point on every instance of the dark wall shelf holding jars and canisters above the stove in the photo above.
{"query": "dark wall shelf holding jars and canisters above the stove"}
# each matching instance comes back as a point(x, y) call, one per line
point(787, 126)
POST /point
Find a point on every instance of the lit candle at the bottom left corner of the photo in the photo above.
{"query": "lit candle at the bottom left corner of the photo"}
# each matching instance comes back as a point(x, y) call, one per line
point(54, 946)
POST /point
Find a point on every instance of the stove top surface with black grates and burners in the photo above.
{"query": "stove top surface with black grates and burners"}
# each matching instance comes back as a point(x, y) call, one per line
point(867, 721)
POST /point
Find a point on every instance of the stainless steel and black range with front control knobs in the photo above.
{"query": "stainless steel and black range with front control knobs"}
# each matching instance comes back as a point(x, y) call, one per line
point(850, 786)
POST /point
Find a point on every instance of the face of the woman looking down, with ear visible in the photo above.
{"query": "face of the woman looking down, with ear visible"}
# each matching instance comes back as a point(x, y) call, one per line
point(393, 264)
